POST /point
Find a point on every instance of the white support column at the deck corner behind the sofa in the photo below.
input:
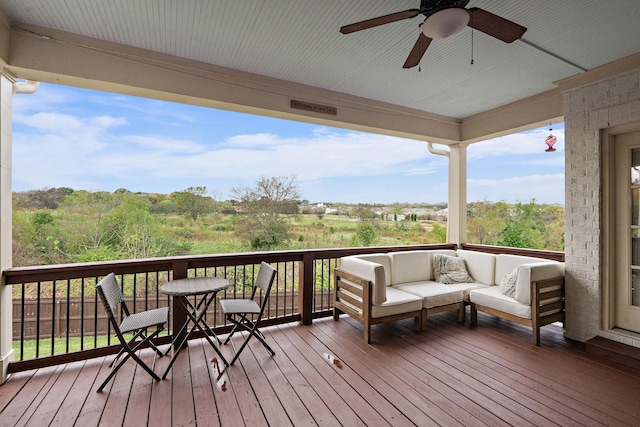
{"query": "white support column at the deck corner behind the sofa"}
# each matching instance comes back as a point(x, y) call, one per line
point(457, 224)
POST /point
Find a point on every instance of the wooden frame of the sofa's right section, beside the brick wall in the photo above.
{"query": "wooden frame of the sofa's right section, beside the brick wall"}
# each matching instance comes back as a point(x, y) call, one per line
point(541, 292)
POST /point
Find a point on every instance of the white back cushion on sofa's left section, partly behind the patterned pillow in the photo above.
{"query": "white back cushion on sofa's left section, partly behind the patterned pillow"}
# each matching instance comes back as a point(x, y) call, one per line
point(414, 266)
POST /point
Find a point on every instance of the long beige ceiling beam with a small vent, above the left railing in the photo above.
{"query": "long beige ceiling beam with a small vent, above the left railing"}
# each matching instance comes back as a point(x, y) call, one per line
point(49, 55)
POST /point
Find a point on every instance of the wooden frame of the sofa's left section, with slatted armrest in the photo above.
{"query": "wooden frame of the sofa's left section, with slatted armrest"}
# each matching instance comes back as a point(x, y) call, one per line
point(344, 302)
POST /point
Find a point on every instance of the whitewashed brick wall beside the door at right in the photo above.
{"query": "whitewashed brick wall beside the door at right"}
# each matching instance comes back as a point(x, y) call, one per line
point(587, 111)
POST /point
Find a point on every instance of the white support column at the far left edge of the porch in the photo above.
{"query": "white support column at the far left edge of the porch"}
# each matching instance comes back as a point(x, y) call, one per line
point(6, 338)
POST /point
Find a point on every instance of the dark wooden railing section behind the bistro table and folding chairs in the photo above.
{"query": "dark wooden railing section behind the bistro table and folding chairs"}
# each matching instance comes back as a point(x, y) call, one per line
point(58, 318)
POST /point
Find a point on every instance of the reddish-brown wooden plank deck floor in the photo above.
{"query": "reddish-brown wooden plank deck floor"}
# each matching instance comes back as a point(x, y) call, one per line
point(324, 374)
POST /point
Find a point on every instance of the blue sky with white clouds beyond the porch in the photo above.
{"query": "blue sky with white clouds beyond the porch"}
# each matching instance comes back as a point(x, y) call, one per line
point(96, 141)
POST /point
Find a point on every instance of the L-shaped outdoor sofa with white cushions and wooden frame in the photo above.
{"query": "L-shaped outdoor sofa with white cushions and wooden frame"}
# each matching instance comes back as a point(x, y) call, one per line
point(383, 287)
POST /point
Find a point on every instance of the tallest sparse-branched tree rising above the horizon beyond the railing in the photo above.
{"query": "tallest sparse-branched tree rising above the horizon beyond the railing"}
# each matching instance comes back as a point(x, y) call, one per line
point(265, 211)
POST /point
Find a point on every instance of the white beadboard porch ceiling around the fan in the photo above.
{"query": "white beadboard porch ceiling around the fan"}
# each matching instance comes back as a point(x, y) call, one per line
point(299, 41)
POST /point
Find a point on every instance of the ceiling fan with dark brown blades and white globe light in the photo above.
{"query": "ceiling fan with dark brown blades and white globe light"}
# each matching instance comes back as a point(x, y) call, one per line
point(444, 18)
